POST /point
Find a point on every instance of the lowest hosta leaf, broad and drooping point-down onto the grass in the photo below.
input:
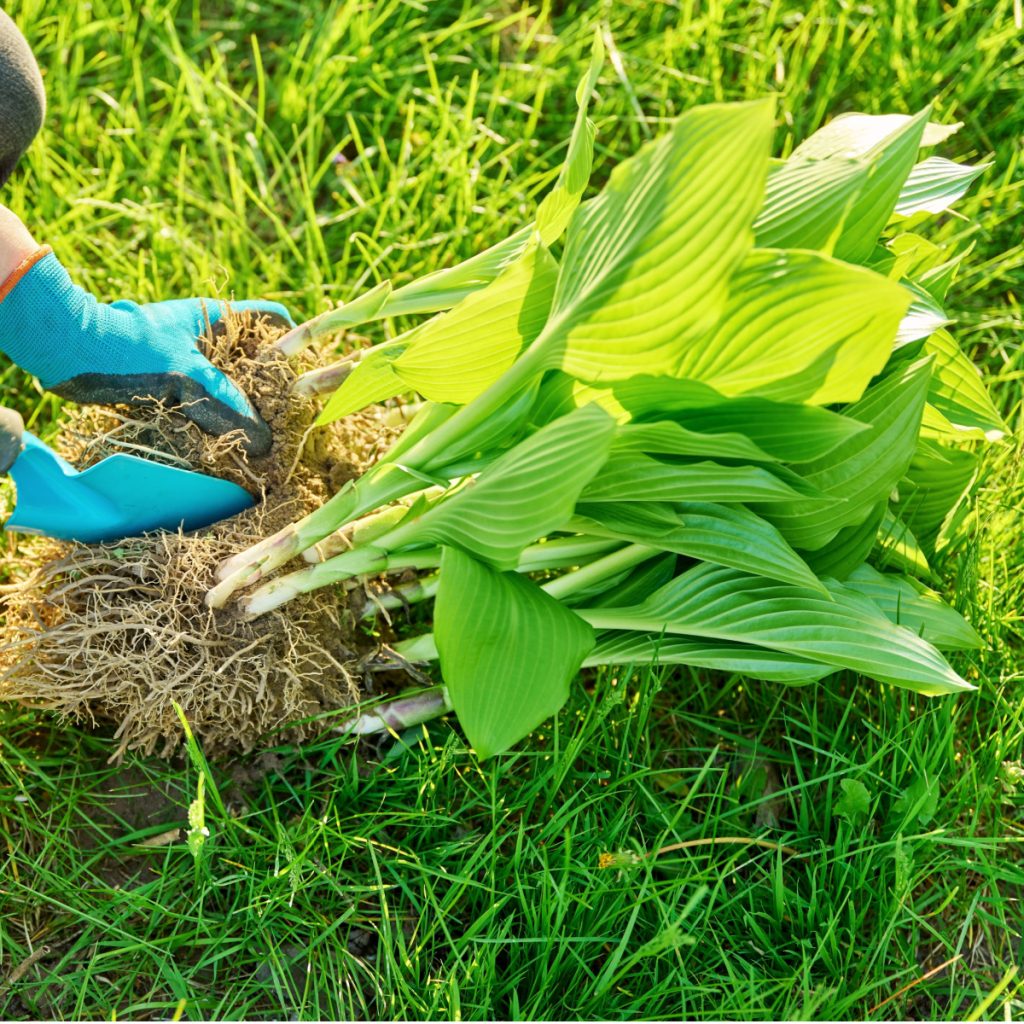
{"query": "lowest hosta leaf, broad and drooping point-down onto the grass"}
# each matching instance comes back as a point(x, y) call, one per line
point(508, 652)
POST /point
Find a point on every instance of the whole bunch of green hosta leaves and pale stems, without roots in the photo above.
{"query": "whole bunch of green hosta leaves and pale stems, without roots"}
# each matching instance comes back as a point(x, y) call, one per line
point(714, 416)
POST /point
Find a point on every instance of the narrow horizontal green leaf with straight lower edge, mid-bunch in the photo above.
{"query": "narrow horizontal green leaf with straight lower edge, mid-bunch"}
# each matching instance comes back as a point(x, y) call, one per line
point(635, 478)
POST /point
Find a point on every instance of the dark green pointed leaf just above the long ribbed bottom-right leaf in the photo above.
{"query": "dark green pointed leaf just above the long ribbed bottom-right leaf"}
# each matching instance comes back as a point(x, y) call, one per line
point(721, 534)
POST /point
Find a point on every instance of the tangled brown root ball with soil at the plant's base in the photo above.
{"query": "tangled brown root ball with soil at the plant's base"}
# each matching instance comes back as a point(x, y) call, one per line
point(118, 632)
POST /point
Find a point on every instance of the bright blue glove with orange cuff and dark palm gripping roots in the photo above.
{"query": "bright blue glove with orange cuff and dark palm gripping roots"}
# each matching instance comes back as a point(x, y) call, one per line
point(124, 354)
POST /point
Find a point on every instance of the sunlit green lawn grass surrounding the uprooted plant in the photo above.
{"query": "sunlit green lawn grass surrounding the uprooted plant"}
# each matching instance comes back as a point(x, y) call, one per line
point(192, 149)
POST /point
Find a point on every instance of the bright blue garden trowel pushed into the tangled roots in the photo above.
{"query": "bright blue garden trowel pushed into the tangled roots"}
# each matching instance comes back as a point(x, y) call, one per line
point(121, 497)
